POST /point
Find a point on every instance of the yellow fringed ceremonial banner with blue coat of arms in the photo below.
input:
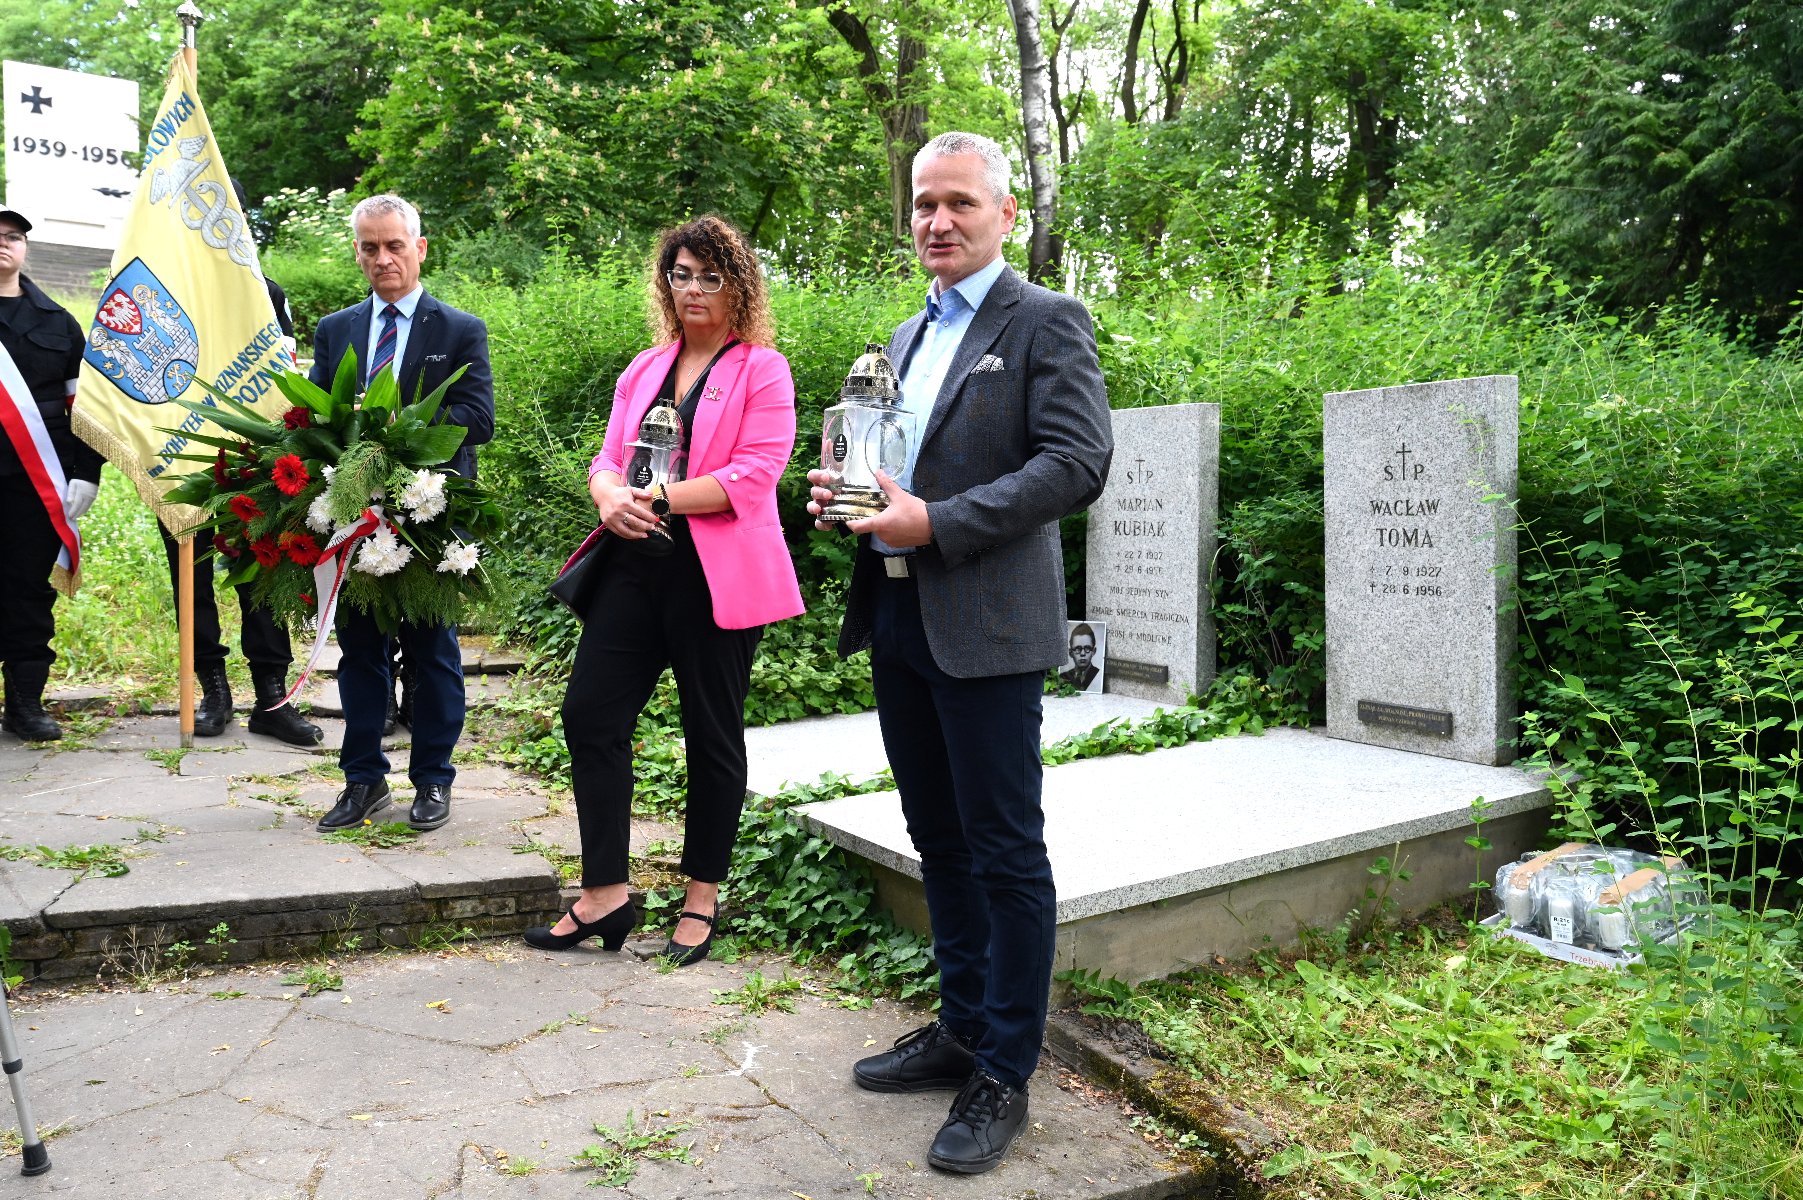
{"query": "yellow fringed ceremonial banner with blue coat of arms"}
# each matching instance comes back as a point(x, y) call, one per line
point(187, 298)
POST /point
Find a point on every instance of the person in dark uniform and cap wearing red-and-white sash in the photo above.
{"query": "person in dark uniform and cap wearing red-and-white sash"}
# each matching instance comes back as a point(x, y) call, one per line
point(44, 347)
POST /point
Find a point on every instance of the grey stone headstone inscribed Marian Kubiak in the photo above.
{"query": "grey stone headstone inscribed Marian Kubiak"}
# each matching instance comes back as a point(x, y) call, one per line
point(1151, 543)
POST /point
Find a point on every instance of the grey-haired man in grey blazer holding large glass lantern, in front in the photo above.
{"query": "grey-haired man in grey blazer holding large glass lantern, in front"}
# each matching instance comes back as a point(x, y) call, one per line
point(958, 594)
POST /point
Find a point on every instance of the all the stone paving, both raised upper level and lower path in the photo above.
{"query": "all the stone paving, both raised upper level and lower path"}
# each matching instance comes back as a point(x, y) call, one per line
point(479, 1069)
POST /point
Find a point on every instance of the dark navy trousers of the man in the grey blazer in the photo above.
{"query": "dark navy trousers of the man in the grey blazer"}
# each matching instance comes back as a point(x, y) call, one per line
point(966, 758)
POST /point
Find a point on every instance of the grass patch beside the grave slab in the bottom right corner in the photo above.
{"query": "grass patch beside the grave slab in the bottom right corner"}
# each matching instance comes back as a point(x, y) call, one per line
point(1454, 1064)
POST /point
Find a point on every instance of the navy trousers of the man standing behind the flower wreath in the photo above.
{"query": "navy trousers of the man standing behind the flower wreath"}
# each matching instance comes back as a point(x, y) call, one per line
point(365, 686)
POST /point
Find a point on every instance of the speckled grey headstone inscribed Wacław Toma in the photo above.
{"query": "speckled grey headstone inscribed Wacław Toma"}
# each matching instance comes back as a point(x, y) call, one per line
point(1420, 493)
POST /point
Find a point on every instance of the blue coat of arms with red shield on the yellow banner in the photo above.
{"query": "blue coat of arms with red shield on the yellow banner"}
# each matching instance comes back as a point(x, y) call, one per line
point(142, 340)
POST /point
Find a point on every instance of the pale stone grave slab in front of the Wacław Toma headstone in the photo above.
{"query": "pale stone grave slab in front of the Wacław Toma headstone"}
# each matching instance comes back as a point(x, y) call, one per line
point(1171, 859)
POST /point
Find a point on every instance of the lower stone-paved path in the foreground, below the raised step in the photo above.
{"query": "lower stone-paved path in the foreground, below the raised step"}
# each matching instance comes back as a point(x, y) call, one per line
point(482, 1071)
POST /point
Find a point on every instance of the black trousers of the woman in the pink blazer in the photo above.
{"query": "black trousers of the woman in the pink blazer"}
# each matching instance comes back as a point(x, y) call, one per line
point(648, 615)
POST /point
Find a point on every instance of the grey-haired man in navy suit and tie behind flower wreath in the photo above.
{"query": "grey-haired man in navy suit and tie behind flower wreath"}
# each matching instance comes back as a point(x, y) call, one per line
point(425, 343)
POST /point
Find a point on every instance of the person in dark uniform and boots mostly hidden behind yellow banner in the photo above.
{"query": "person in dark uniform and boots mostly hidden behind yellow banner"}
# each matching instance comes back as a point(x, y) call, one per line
point(264, 642)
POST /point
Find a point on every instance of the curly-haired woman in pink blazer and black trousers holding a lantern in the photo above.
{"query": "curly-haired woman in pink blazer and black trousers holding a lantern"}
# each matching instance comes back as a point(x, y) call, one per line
point(693, 574)
